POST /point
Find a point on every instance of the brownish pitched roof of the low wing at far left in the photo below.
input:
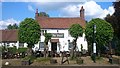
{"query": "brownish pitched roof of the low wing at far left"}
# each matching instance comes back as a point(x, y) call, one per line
point(9, 35)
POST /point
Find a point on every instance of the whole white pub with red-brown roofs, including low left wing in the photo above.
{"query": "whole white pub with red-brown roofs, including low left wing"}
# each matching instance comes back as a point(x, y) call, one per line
point(58, 26)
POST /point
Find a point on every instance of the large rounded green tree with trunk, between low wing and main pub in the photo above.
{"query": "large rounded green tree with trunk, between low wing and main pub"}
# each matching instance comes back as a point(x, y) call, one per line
point(29, 32)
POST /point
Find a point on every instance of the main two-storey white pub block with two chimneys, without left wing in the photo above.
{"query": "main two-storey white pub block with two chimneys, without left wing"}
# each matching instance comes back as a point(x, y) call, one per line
point(58, 26)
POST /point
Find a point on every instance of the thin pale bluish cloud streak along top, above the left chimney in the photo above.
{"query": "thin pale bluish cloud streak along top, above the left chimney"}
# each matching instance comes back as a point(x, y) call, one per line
point(51, 6)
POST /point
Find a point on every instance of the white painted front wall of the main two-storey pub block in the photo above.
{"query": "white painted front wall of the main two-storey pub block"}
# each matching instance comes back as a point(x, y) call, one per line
point(64, 45)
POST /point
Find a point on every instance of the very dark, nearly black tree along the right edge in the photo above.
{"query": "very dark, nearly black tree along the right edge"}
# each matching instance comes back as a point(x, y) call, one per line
point(114, 20)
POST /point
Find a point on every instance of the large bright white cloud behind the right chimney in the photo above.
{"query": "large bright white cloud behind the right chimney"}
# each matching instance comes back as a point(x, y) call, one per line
point(92, 10)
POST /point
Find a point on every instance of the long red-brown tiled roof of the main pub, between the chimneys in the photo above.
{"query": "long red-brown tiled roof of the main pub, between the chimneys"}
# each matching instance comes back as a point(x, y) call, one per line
point(47, 22)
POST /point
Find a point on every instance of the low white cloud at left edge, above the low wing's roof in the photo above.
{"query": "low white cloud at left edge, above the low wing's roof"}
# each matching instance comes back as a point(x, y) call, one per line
point(5, 23)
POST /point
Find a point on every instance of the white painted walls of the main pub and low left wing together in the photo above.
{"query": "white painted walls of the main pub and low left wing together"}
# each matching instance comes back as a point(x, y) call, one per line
point(64, 45)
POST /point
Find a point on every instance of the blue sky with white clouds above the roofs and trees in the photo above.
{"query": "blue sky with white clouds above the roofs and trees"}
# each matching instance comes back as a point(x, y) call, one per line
point(16, 11)
